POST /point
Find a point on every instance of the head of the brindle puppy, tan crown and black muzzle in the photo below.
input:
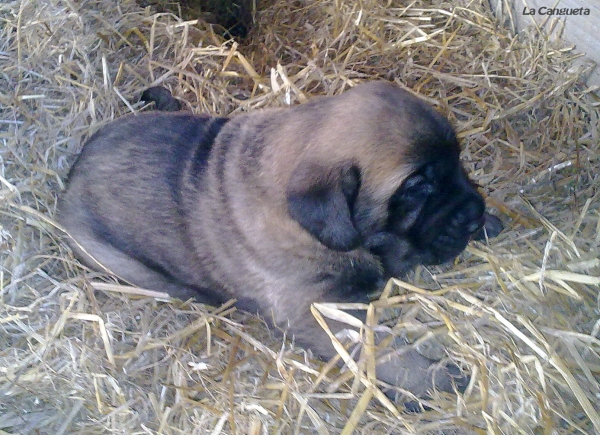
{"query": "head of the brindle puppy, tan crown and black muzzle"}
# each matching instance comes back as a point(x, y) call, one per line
point(381, 170)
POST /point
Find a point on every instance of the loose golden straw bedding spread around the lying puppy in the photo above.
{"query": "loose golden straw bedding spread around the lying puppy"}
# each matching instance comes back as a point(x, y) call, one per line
point(80, 354)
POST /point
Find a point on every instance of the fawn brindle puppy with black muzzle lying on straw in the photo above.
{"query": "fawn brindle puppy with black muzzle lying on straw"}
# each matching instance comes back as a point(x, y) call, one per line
point(279, 208)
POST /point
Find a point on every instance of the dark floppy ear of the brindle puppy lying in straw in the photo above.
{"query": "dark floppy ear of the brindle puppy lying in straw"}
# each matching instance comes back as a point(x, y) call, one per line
point(321, 199)
